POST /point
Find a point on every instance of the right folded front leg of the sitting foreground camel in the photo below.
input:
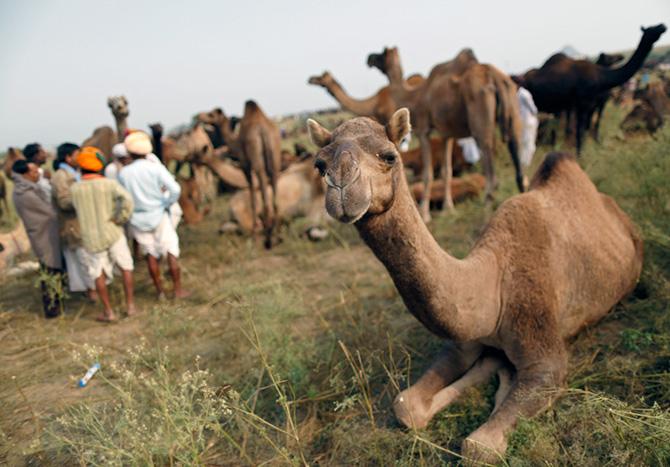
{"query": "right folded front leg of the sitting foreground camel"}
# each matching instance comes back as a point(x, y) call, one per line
point(533, 389)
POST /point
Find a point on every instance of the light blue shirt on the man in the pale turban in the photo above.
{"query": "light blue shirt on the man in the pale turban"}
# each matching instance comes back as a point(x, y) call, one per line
point(153, 189)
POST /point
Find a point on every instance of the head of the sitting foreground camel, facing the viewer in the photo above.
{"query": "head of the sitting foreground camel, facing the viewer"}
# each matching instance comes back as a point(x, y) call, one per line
point(361, 164)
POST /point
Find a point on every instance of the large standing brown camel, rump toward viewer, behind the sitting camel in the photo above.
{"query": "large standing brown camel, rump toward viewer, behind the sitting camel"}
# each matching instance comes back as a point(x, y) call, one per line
point(460, 98)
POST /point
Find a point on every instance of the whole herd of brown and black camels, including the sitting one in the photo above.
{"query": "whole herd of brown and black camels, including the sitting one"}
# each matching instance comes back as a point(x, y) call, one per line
point(499, 309)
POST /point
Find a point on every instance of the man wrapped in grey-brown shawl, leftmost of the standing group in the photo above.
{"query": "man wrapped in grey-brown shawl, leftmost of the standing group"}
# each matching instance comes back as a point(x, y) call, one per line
point(40, 220)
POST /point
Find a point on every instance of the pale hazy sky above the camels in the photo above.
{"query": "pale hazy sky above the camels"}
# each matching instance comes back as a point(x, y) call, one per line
point(60, 60)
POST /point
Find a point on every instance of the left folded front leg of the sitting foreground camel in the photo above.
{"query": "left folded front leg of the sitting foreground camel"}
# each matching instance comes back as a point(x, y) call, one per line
point(414, 407)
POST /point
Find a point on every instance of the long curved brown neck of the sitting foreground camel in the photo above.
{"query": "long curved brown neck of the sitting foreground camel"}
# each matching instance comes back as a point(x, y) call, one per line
point(436, 287)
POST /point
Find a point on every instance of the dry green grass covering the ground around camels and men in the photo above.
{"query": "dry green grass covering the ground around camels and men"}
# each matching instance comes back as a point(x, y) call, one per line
point(294, 356)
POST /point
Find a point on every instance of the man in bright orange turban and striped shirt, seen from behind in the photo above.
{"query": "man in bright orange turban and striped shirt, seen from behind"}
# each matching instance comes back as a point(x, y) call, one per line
point(103, 206)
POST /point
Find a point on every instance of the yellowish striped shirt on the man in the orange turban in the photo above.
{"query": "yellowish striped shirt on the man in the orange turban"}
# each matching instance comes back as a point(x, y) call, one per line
point(102, 206)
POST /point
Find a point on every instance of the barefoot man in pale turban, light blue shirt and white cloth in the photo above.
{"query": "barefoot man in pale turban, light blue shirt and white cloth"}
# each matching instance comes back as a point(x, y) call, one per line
point(153, 189)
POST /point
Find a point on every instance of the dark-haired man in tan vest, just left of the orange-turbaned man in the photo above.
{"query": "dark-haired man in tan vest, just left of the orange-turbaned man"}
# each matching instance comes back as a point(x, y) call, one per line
point(70, 234)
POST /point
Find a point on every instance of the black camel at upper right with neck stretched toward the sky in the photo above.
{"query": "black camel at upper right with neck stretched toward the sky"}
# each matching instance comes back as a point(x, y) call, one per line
point(563, 84)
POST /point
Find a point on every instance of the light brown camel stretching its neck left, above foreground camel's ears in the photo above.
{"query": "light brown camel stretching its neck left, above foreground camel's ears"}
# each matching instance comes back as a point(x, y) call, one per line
point(379, 106)
